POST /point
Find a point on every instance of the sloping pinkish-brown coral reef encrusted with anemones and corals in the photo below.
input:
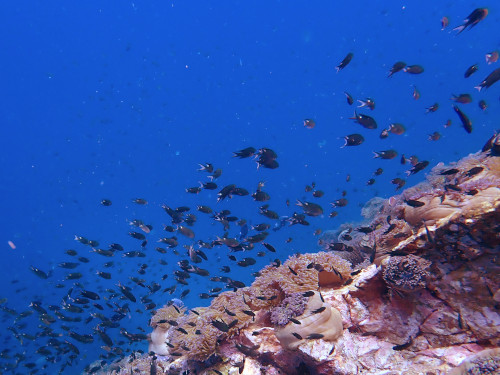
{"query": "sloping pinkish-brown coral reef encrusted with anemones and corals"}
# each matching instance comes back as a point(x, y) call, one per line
point(422, 297)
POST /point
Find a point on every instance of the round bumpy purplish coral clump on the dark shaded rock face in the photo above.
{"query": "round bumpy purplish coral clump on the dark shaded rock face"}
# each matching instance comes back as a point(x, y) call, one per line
point(406, 273)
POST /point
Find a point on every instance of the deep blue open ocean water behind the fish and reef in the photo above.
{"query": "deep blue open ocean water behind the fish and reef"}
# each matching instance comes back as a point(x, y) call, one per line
point(123, 100)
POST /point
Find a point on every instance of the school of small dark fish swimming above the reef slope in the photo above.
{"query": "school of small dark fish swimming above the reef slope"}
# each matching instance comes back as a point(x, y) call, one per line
point(94, 317)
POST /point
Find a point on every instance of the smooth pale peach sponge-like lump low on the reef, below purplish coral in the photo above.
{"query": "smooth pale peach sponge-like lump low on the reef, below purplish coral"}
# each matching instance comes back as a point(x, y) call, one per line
point(318, 321)
